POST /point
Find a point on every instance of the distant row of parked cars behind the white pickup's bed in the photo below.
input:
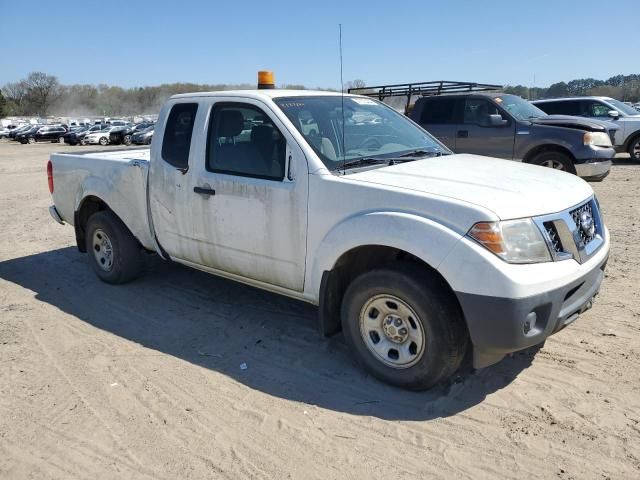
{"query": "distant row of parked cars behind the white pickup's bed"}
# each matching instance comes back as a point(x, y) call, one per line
point(124, 133)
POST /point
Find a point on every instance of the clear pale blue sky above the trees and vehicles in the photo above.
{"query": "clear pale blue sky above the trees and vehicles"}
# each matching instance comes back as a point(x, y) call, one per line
point(139, 43)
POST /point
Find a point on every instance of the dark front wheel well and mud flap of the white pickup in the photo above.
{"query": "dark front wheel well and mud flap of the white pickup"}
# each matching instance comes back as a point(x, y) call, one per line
point(349, 266)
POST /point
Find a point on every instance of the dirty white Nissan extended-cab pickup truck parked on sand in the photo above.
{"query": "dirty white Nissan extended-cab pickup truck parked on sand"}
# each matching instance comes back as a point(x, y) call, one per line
point(420, 256)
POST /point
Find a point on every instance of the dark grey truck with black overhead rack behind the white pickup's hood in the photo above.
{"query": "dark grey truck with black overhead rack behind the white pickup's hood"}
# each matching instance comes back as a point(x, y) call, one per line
point(474, 119)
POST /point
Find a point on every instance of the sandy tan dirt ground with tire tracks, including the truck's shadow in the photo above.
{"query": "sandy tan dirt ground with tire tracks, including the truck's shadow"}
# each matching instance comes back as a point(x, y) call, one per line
point(144, 380)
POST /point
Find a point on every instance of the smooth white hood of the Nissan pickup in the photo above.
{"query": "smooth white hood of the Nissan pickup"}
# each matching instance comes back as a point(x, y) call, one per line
point(509, 189)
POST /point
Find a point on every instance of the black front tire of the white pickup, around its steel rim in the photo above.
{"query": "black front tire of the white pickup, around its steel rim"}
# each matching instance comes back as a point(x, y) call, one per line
point(437, 310)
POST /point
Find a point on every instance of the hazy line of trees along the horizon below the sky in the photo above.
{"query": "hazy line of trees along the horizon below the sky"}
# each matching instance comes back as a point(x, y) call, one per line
point(41, 94)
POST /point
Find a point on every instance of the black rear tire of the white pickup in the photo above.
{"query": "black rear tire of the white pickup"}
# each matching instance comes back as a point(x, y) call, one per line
point(126, 252)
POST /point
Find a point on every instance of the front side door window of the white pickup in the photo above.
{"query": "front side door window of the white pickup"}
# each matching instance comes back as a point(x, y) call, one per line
point(244, 141)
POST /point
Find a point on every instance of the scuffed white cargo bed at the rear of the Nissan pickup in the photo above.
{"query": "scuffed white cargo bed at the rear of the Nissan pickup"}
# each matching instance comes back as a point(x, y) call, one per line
point(118, 177)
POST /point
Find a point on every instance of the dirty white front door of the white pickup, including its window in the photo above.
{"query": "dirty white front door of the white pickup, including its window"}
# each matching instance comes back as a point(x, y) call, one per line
point(248, 195)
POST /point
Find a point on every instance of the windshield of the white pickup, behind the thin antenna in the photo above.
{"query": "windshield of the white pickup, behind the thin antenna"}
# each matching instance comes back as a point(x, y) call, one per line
point(372, 130)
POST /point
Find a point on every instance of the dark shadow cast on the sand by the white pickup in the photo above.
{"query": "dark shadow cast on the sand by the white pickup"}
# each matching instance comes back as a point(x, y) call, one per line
point(219, 324)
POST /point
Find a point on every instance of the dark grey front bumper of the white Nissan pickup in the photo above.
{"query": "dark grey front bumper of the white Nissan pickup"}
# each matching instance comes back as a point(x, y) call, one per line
point(499, 325)
